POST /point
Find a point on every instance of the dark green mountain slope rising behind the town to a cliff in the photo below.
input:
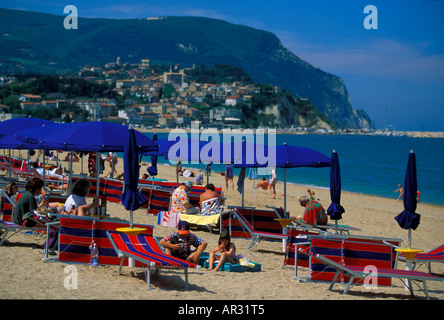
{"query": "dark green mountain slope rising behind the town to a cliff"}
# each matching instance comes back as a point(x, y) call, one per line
point(38, 42)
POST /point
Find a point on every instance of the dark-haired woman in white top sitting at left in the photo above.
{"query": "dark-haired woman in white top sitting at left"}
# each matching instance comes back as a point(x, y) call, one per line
point(76, 203)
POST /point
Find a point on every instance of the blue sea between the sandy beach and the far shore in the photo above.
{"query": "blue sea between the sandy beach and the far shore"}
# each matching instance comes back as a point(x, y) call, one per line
point(372, 165)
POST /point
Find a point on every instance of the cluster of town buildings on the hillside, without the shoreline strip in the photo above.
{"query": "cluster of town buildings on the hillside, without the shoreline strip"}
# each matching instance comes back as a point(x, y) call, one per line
point(151, 97)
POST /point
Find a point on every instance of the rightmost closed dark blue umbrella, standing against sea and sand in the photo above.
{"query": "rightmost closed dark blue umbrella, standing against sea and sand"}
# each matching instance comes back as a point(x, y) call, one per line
point(409, 219)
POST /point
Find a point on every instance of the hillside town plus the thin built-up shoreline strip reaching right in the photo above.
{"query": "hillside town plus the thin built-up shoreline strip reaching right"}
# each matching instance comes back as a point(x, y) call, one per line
point(154, 96)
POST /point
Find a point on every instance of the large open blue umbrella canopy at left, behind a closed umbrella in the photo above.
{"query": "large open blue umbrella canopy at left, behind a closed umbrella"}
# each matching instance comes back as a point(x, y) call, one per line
point(87, 136)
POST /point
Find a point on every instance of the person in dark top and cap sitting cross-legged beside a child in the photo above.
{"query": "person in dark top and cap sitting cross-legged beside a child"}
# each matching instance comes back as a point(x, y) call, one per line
point(178, 244)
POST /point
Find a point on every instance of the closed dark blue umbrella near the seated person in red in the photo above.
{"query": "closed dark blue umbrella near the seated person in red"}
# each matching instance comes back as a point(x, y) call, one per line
point(335, 210)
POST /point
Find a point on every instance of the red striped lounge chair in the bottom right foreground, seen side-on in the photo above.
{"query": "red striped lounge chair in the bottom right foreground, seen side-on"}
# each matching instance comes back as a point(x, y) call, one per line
point(360, 273)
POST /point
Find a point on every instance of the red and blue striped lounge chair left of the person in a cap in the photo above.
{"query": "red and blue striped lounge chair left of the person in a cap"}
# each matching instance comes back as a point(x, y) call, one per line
point(145, 249)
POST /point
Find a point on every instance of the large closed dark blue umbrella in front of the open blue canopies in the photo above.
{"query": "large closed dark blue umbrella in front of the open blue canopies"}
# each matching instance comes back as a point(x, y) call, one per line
point(131, 198)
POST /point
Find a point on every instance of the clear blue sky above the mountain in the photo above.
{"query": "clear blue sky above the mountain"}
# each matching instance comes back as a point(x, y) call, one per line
point(395, 73)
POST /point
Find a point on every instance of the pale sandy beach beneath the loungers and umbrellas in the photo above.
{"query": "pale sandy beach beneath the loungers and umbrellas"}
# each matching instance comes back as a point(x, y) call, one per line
point(25, 276)
